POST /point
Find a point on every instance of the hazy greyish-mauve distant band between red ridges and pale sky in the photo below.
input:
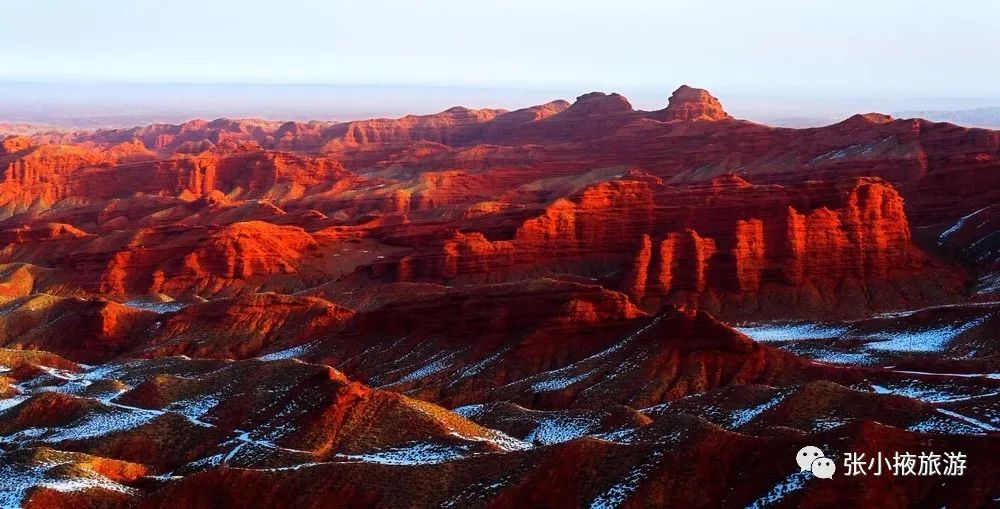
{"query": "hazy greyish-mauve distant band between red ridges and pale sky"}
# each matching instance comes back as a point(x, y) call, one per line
point(76, 105)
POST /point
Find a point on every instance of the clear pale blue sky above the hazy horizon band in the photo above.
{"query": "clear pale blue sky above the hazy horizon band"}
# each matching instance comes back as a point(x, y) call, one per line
point(843, 47)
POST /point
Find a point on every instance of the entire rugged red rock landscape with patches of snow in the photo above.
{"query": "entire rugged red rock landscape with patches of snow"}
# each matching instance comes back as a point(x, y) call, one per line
point(575, 304)
